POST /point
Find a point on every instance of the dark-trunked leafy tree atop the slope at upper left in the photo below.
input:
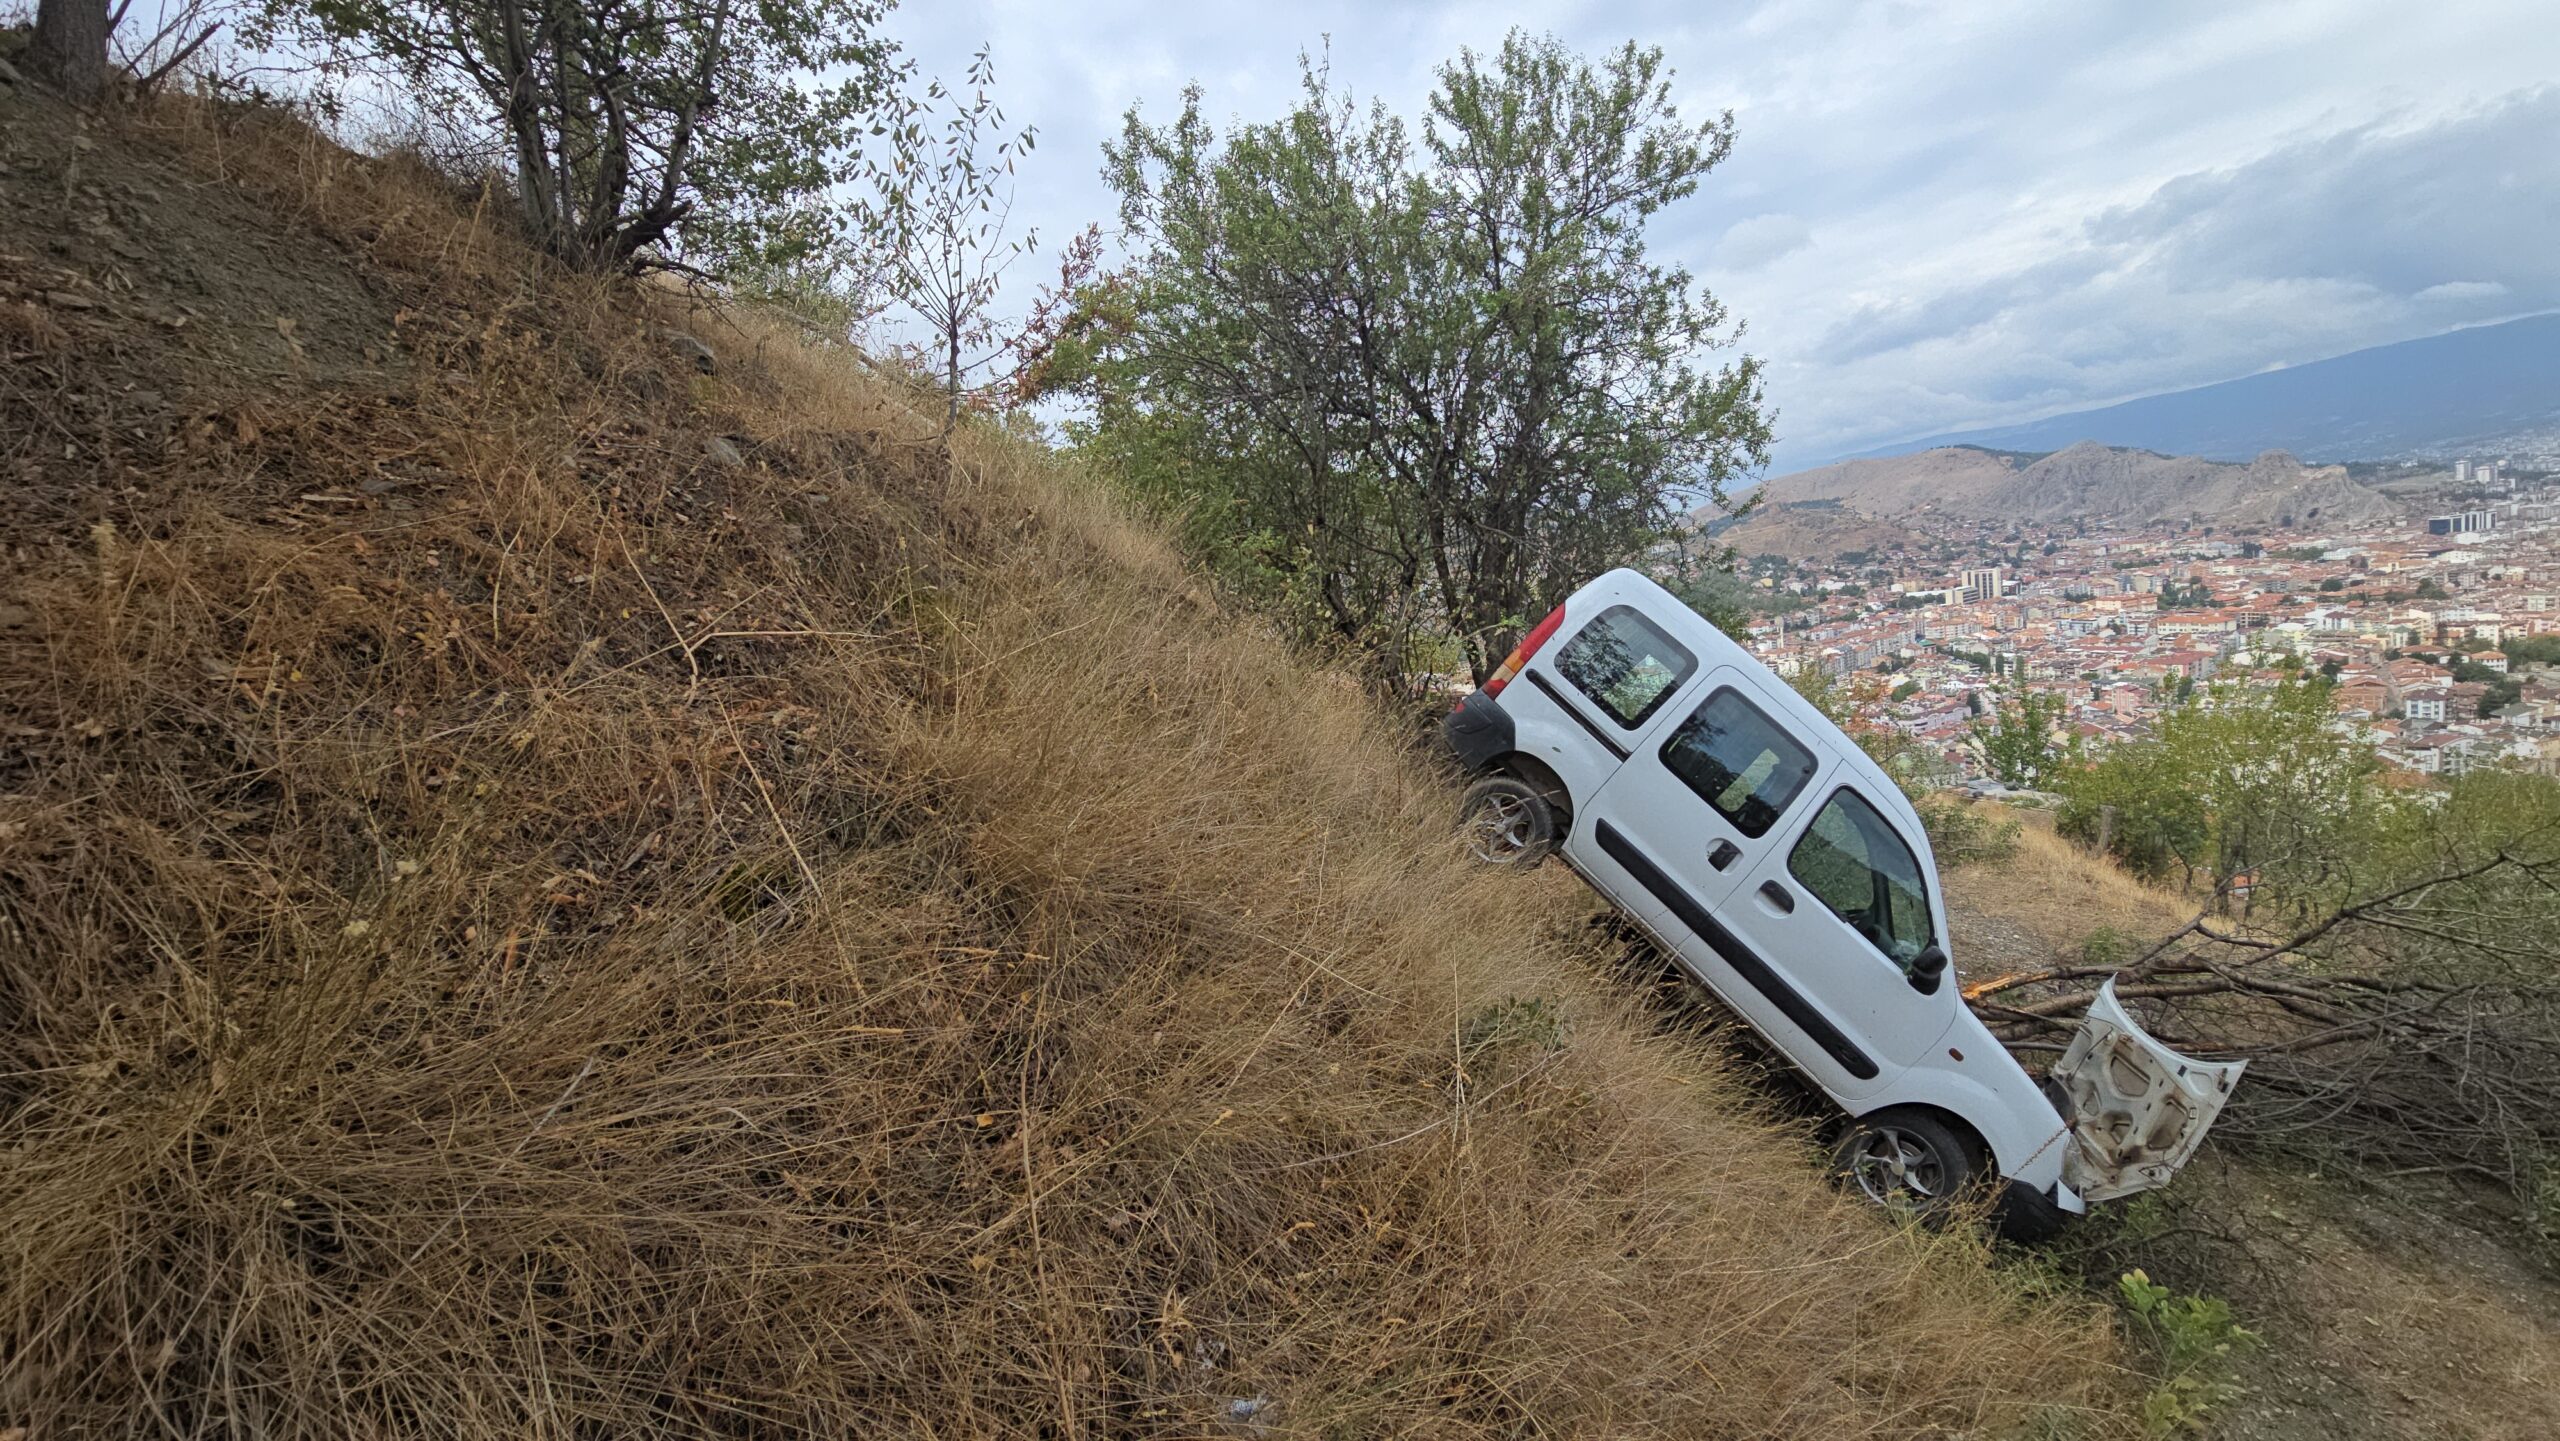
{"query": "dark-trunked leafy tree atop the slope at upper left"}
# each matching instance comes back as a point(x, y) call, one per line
point(641, 129)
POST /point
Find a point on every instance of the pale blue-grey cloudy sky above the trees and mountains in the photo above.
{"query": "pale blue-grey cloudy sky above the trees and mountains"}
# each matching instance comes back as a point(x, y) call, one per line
point(1949, 214)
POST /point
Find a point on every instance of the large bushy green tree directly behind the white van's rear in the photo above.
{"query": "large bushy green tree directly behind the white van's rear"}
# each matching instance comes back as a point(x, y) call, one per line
point(1412, 385)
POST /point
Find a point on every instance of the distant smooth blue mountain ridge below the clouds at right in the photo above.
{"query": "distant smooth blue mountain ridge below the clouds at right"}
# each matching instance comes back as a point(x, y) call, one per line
point(2464, 393)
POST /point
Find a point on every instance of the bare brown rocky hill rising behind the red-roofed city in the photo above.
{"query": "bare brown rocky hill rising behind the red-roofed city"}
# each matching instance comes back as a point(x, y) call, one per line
point(2088, 480)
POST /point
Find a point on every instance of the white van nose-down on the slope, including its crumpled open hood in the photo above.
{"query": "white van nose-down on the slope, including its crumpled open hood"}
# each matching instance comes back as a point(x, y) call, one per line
point(1786, 869)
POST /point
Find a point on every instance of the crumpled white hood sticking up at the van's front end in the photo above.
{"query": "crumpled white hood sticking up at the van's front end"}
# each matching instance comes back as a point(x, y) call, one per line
point(2136, 1110)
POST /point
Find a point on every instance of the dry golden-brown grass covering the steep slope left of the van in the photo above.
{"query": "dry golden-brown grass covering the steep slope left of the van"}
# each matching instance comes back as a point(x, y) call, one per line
point(593, 943)
